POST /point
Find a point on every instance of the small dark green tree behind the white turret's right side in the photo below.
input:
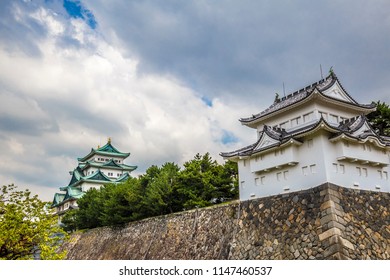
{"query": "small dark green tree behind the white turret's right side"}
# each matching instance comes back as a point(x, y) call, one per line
point(380, 119)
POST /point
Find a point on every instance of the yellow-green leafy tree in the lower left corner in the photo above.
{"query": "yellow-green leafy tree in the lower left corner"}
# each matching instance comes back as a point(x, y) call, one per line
point(27, 227)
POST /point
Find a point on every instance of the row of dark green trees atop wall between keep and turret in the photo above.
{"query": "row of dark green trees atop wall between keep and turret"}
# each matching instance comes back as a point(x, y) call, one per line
point(161, 190)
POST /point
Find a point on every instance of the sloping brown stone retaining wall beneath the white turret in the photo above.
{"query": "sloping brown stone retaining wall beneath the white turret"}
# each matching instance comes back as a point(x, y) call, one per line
point(326, 222)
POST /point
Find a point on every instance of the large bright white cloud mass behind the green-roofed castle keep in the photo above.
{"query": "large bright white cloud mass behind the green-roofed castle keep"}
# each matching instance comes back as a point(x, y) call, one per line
point(74, 98)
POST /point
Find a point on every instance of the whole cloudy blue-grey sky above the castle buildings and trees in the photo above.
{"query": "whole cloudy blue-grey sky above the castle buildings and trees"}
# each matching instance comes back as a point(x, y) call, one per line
point(166, 80)
